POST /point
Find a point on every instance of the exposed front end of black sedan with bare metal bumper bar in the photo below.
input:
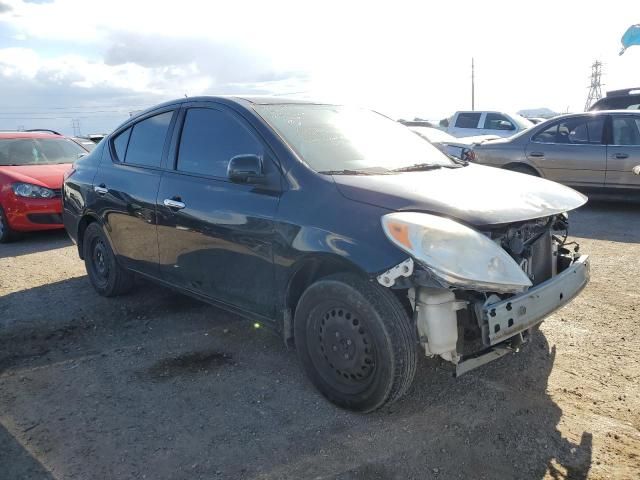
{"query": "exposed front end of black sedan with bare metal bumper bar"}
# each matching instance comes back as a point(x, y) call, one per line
point(455, 322)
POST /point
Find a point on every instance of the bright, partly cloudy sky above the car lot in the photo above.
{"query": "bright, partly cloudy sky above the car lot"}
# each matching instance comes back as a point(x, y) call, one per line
point(92, 62)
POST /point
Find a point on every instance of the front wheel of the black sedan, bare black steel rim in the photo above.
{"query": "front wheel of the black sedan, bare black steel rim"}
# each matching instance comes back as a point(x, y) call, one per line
point(356, 342)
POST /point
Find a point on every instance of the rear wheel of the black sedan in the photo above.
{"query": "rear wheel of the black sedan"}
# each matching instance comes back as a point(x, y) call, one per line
point(107, 277)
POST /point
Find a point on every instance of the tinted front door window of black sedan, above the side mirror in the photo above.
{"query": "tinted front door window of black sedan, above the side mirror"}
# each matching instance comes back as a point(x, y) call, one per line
point(210, 138)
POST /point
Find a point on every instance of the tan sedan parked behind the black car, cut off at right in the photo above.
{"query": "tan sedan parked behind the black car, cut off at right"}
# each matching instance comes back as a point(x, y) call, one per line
point(597, 151)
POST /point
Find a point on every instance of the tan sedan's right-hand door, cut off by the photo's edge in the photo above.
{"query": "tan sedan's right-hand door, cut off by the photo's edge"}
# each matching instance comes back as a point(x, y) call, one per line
point(623, 151)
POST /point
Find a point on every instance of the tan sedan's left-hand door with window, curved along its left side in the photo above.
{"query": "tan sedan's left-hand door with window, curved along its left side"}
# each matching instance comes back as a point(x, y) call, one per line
point(571, 151)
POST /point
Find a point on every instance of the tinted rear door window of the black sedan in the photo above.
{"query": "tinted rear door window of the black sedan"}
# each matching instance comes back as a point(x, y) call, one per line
point(147, 140)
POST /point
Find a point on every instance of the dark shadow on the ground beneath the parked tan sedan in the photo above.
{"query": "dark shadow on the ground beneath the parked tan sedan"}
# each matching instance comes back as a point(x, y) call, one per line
point(606, 220)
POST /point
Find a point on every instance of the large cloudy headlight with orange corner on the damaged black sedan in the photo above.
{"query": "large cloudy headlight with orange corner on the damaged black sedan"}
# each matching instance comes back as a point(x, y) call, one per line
point(455, 253)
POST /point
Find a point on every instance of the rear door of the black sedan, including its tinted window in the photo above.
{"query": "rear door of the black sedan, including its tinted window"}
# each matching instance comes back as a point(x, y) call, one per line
point(126, 186)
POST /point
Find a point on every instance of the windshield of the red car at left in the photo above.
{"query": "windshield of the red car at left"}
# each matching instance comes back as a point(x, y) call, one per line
point(38, 151)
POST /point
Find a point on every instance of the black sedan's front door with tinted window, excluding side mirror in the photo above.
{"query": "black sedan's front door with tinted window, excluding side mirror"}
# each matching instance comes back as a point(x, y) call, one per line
point(215, 236)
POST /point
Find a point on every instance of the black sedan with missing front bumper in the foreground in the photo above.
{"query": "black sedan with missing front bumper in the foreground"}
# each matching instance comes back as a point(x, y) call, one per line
point(348, 233)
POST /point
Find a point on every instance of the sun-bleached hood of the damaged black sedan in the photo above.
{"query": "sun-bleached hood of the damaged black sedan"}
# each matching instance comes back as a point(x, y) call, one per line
point(475, 194)
